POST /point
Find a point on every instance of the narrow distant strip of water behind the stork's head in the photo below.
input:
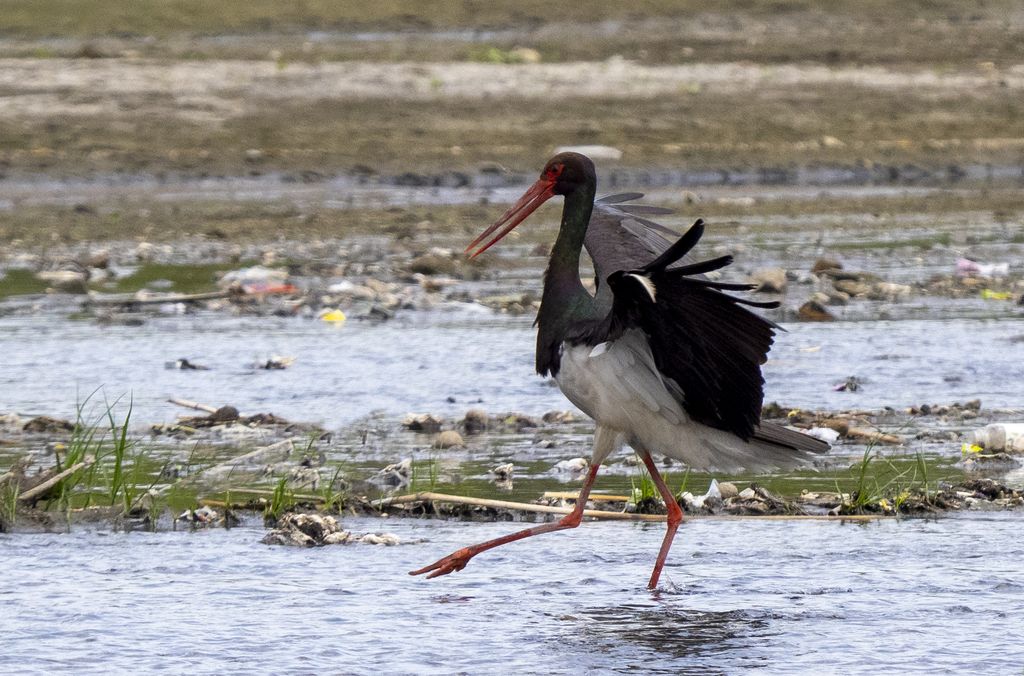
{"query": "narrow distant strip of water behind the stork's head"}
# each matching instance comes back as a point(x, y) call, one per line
point(456, 189)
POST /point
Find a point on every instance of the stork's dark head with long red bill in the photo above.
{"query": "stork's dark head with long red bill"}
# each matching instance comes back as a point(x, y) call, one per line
point(564, 175)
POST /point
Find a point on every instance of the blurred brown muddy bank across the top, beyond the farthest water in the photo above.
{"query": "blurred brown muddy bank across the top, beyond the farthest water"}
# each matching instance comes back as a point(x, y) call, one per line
point(252, 89)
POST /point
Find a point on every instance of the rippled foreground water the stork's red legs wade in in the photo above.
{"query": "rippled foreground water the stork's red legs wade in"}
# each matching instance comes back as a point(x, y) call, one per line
point(786, 597)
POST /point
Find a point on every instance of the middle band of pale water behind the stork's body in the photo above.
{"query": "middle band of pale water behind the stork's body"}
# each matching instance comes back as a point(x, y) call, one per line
point(478, 359)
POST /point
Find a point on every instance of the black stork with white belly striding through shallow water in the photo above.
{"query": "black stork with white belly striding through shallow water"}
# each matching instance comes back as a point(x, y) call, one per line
point(661, 357)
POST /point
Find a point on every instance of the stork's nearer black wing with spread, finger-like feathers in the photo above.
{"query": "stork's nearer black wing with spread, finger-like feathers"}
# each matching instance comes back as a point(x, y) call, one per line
point(703, 340)
